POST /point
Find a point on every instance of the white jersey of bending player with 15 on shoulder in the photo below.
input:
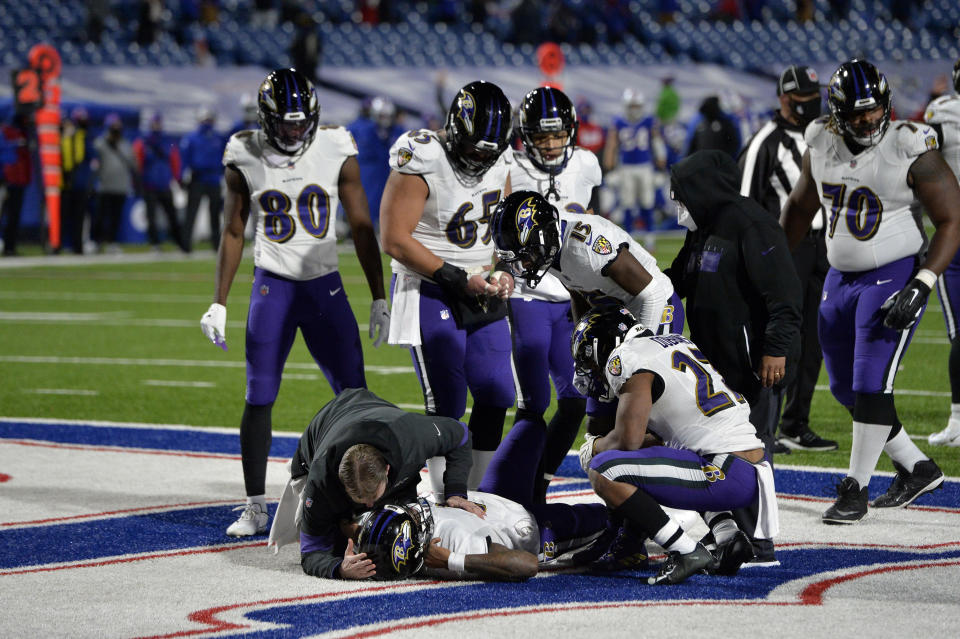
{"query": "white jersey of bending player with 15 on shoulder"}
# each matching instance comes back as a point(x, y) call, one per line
point(588, 244)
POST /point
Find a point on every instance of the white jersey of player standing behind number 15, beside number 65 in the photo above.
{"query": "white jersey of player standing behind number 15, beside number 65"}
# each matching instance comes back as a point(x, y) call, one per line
point(574, 186)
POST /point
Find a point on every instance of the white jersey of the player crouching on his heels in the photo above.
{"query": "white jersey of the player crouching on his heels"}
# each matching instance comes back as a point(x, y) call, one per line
point(696, 409)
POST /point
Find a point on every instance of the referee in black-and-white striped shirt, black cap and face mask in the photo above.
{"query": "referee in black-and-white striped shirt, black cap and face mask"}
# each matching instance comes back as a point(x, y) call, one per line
point(770, 165)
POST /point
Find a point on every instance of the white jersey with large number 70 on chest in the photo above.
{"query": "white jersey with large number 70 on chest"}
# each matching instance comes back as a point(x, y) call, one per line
point(873, 217)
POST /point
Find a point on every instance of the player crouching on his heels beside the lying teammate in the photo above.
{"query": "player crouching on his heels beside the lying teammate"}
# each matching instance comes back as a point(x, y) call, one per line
point(701, 451)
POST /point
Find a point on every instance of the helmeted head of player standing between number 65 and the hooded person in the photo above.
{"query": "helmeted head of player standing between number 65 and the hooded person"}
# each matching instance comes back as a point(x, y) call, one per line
point(548, 128)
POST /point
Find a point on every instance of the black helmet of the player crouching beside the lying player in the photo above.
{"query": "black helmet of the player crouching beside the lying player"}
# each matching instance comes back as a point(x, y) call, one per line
point(599, 331)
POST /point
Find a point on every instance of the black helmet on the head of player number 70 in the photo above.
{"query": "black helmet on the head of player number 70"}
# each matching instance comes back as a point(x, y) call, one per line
point(860, 105)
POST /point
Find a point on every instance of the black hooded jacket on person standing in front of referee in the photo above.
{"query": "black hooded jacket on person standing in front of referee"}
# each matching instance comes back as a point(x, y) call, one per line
point(742, 293)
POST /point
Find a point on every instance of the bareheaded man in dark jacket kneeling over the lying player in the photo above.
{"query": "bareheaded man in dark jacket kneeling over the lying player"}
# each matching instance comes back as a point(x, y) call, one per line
point(358, 451)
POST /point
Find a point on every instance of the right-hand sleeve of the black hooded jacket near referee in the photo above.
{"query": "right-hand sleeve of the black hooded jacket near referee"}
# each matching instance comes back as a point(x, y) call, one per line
point(768, 261)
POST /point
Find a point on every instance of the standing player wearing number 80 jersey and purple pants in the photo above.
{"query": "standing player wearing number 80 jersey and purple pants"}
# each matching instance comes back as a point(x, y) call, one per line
point(291, 174)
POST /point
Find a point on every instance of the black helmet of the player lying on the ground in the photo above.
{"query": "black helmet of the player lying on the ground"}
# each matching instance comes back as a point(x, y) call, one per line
point(396, 537)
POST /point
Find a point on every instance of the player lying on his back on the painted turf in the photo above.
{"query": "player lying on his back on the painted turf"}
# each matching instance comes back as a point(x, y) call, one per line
point(400, 539)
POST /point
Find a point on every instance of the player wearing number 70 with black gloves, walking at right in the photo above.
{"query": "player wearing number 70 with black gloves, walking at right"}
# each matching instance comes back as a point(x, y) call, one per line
point(873, 175)
